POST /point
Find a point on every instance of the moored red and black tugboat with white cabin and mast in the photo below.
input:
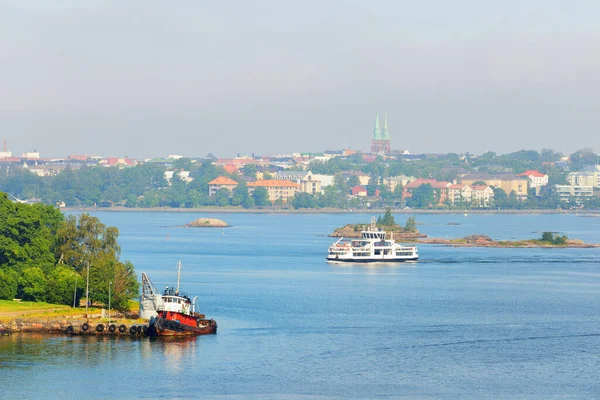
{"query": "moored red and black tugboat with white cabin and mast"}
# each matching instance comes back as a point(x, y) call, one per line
point(172, 313)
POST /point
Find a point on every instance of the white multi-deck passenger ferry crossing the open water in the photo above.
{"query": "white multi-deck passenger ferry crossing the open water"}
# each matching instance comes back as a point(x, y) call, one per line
point(371, 247)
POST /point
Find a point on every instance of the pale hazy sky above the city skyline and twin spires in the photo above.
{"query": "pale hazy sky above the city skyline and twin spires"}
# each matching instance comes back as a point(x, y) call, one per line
point(151, 78)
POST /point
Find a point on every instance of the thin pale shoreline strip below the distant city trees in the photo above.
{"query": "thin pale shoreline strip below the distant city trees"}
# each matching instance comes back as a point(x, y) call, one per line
point(318, 211)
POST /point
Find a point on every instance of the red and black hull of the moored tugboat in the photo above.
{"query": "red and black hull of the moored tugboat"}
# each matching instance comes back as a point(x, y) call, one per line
point(169, 323)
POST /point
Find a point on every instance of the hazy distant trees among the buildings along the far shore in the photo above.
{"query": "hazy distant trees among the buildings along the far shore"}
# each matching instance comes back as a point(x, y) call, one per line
point(145, 185)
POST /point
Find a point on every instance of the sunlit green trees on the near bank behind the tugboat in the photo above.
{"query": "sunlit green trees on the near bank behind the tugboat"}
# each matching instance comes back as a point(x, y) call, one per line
point(46, 256)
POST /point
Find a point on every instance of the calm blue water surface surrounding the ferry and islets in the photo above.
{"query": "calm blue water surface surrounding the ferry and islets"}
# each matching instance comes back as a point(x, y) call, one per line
point(460, 323)
